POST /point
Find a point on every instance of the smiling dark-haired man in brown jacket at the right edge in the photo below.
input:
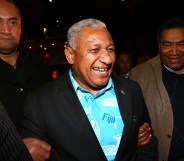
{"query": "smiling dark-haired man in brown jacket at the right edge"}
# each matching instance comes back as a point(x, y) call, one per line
point(162, 83)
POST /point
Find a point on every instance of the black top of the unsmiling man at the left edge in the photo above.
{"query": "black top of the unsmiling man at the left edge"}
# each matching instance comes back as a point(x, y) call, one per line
point(15, 83)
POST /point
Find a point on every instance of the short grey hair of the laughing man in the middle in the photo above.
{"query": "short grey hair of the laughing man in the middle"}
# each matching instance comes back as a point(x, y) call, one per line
point(75, 30)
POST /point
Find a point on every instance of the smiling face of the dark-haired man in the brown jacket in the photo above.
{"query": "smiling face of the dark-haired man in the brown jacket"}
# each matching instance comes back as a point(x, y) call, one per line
point(171, 48)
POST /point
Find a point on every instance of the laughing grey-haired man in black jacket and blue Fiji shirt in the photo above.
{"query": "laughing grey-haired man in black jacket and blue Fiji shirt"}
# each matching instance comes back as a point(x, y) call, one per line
point(89, 114)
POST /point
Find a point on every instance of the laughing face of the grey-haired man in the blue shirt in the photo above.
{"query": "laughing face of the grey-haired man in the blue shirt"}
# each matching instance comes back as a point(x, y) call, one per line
point(93, 58)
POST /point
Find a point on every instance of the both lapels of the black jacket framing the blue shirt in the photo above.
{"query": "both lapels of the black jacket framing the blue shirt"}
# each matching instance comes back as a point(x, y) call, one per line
point(76, 113)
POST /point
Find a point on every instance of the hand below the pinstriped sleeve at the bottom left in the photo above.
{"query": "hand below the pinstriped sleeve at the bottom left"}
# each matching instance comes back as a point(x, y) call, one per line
point(39, 150)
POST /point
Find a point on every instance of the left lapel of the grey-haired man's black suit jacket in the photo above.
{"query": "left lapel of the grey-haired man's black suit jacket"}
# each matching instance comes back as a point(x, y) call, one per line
point(76, 113)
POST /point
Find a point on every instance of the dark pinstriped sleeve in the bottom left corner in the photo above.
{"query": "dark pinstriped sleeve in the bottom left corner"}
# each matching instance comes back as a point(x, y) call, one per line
point(12, 147)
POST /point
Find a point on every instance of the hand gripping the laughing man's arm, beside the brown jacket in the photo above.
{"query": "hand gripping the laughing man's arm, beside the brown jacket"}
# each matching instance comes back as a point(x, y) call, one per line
point(144, 135)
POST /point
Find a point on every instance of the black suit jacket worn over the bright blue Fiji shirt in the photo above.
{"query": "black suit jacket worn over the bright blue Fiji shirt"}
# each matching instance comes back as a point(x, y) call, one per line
point(54, 114)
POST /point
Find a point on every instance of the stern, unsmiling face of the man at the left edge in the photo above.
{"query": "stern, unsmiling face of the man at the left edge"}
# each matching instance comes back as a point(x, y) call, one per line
point(10, 28)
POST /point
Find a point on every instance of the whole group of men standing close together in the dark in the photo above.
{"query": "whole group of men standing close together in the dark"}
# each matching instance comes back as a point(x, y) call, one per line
point(91, 112)
